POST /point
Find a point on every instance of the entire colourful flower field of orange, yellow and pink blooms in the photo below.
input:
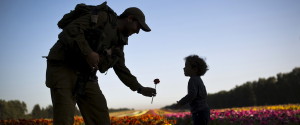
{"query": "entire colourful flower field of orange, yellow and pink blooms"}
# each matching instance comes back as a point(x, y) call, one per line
point(262, 115)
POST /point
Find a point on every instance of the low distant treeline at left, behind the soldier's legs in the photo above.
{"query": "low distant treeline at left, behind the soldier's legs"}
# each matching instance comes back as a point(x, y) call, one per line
point(15, 109)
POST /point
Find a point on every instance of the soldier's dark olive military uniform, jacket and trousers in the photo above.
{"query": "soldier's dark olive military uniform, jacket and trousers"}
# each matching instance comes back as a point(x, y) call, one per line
point(65, 64)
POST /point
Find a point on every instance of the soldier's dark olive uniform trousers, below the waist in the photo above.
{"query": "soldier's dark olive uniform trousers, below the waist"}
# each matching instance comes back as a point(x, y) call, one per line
point(92, 106)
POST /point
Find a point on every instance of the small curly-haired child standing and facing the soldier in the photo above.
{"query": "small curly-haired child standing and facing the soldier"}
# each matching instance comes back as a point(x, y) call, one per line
point(196, 97)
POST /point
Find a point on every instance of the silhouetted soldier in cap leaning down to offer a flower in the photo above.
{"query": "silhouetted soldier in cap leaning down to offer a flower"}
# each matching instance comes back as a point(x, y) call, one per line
point(93, 38)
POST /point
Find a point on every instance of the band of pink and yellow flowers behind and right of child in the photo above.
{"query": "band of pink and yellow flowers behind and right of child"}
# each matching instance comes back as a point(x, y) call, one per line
point(279, 114)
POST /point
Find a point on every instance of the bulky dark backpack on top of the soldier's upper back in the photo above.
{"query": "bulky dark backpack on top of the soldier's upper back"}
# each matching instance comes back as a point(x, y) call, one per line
point(81, 10)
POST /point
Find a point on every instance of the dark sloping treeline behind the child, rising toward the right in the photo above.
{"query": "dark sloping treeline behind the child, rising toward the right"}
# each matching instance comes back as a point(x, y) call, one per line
point(282, 89)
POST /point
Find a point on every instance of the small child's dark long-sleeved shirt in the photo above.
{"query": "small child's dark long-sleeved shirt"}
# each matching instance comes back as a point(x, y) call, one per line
point(196, 96)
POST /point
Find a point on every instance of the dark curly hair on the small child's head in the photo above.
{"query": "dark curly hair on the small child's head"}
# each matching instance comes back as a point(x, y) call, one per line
point(197, 62)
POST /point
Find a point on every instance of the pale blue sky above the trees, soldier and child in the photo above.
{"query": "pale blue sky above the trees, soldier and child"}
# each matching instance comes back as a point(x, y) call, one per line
point(242, 40)
